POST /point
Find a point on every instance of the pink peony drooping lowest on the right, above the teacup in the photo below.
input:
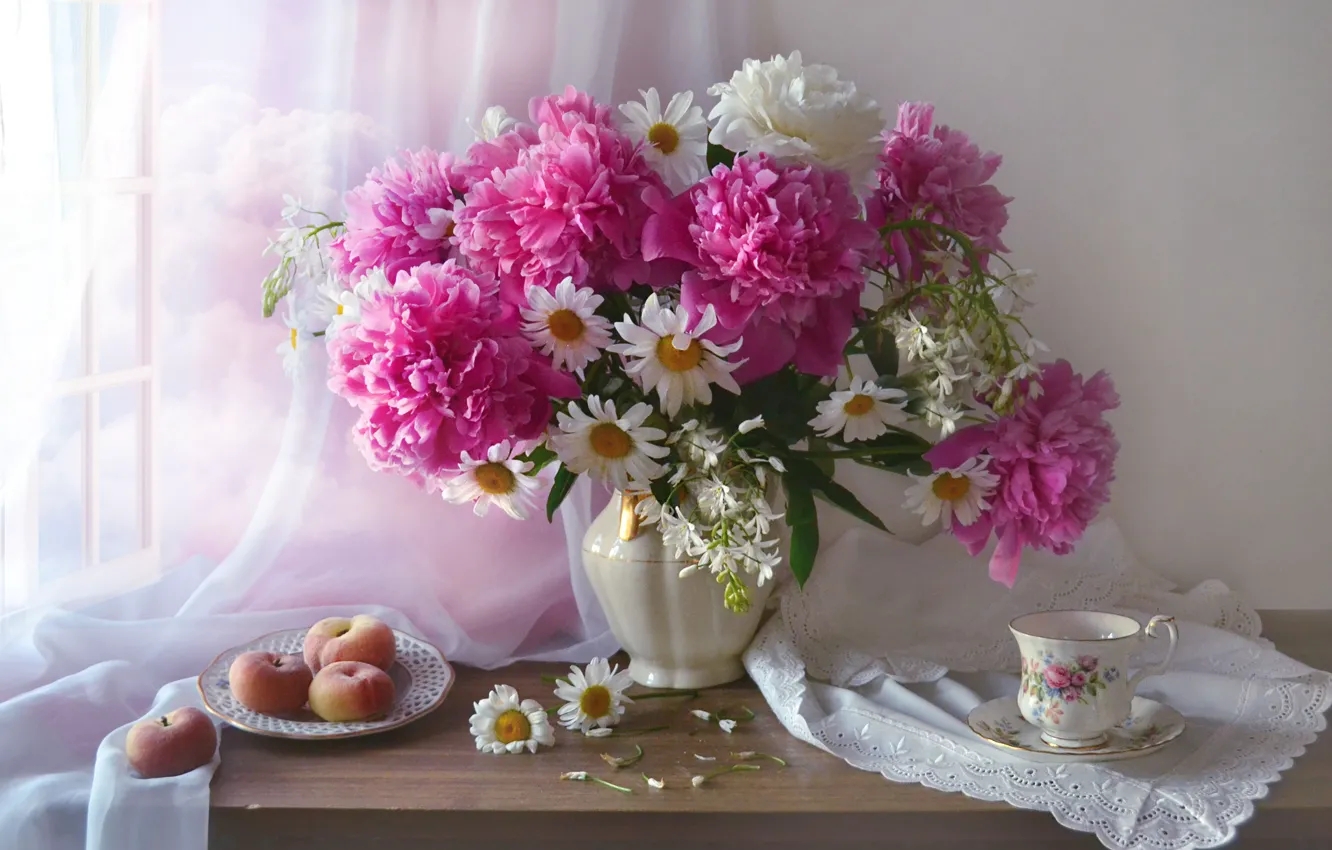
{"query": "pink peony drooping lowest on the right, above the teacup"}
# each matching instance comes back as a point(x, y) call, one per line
point(1056, 459)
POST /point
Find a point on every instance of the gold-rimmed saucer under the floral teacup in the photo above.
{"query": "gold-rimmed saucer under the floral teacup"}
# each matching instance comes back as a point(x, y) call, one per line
point(1150, 727)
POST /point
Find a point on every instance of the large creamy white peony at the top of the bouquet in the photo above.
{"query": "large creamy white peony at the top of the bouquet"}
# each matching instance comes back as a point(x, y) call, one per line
point(796, 111)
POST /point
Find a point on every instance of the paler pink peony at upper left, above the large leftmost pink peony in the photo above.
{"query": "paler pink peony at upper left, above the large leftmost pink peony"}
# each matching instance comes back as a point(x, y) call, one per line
point(400, 218)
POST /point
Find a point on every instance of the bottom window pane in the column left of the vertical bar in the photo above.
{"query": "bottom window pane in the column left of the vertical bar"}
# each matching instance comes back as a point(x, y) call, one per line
point(61, 488)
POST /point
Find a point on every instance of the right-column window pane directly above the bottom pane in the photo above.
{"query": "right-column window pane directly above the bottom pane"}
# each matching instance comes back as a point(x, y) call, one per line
point(117, 279)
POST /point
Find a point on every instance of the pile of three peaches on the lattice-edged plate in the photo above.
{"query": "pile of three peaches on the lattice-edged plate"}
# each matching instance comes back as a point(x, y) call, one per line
point(342, 673)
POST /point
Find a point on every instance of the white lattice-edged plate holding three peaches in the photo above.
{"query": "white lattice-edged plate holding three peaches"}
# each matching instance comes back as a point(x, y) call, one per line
point(422, 679)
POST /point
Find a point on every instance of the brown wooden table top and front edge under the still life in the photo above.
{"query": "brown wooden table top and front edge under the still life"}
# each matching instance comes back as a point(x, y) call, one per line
point(427, 787)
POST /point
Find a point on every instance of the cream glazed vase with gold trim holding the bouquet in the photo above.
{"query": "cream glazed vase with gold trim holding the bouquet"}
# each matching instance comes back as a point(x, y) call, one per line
point(676, 631)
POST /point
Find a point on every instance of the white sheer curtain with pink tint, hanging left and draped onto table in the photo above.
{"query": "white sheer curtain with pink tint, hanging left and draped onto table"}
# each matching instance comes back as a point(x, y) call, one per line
point(167, 491)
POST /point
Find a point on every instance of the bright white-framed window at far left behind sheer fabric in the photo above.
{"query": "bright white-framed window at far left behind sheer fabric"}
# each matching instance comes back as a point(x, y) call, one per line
point(82, 520)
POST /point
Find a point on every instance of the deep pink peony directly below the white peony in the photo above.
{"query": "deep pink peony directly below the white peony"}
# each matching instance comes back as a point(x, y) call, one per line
point(779, 251)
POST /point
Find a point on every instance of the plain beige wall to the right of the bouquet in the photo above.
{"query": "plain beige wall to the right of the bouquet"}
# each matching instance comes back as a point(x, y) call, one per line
point(1173, 166)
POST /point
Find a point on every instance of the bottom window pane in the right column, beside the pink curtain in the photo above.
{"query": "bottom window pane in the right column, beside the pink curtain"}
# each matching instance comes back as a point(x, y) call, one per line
point(119, 471)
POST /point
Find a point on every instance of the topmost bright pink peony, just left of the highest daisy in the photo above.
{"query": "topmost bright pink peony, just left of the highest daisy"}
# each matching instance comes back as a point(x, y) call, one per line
point(569, 206)
